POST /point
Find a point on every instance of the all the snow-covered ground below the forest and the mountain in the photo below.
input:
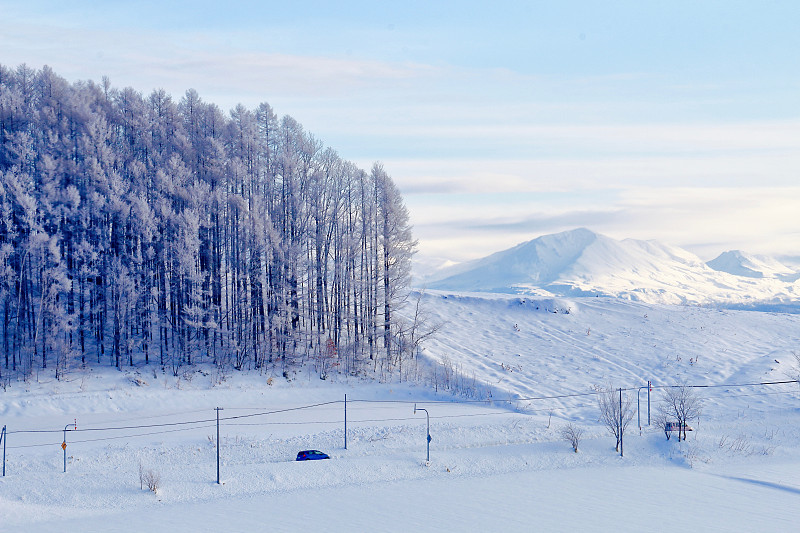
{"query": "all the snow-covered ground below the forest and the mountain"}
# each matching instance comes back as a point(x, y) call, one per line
point(499, 381)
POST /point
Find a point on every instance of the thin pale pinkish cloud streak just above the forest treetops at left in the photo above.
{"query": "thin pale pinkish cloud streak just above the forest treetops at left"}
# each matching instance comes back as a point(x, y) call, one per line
point(222, 72)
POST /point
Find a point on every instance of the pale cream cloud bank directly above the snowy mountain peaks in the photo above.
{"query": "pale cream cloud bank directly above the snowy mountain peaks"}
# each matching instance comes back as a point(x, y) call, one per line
point(706, 221)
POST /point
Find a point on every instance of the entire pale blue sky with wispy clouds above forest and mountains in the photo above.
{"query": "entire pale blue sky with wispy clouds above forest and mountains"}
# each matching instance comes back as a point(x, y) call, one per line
point(500, 122)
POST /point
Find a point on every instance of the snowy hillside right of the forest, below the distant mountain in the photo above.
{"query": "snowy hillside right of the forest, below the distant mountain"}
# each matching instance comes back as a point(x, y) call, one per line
point(526, 346)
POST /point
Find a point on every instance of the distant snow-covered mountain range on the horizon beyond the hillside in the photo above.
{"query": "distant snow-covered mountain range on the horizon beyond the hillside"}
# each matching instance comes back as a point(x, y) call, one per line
point(581, 262)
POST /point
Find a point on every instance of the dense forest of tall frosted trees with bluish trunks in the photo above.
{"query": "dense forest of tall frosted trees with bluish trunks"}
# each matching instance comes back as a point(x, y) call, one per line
point(136, 229)
